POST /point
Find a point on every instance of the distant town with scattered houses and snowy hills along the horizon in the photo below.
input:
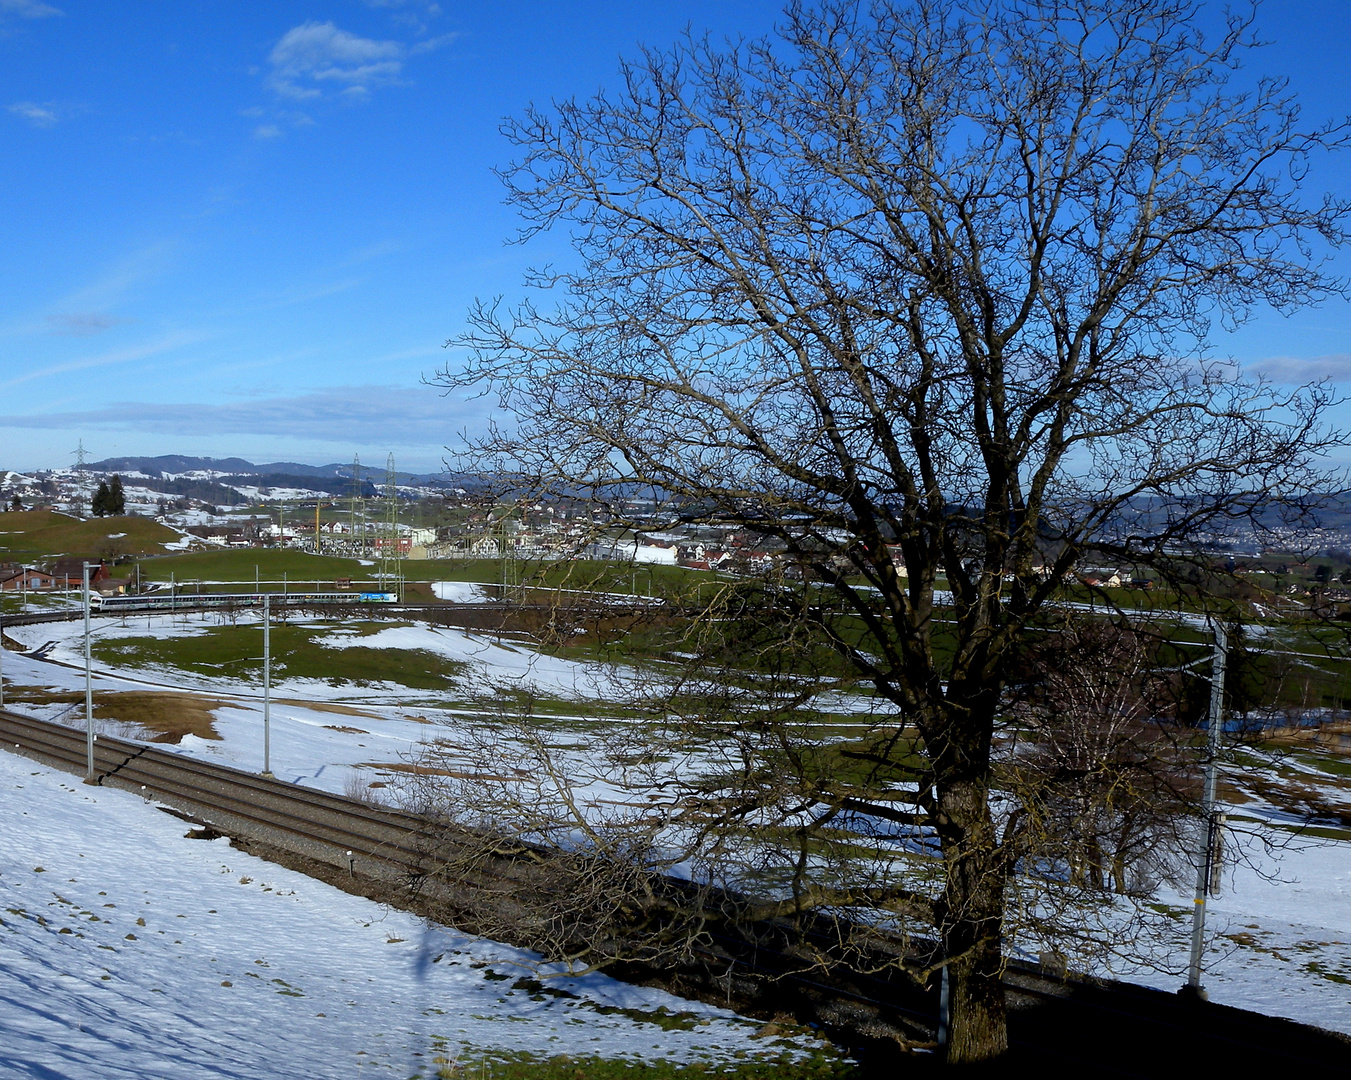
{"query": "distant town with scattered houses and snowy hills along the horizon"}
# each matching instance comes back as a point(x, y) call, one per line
point(356, 512)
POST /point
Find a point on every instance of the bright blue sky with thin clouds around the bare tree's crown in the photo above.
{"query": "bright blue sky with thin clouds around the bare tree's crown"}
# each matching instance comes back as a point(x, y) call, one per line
point(249, 228)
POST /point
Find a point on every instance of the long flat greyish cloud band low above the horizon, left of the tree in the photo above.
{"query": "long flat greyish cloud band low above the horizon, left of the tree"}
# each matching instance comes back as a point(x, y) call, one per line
point(374, 414)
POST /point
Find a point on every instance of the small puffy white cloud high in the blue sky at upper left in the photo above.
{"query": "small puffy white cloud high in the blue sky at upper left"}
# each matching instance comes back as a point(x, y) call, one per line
point(317, 56)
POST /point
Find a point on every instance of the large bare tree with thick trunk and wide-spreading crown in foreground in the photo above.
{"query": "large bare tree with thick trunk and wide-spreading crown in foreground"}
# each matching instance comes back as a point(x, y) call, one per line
point(922, 291)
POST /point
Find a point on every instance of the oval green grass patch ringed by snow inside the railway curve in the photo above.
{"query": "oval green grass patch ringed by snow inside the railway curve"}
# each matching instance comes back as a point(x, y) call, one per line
point(297, 654)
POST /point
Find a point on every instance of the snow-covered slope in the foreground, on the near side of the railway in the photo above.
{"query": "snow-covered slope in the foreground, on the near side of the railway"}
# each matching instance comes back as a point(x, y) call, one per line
point(130, 951)
